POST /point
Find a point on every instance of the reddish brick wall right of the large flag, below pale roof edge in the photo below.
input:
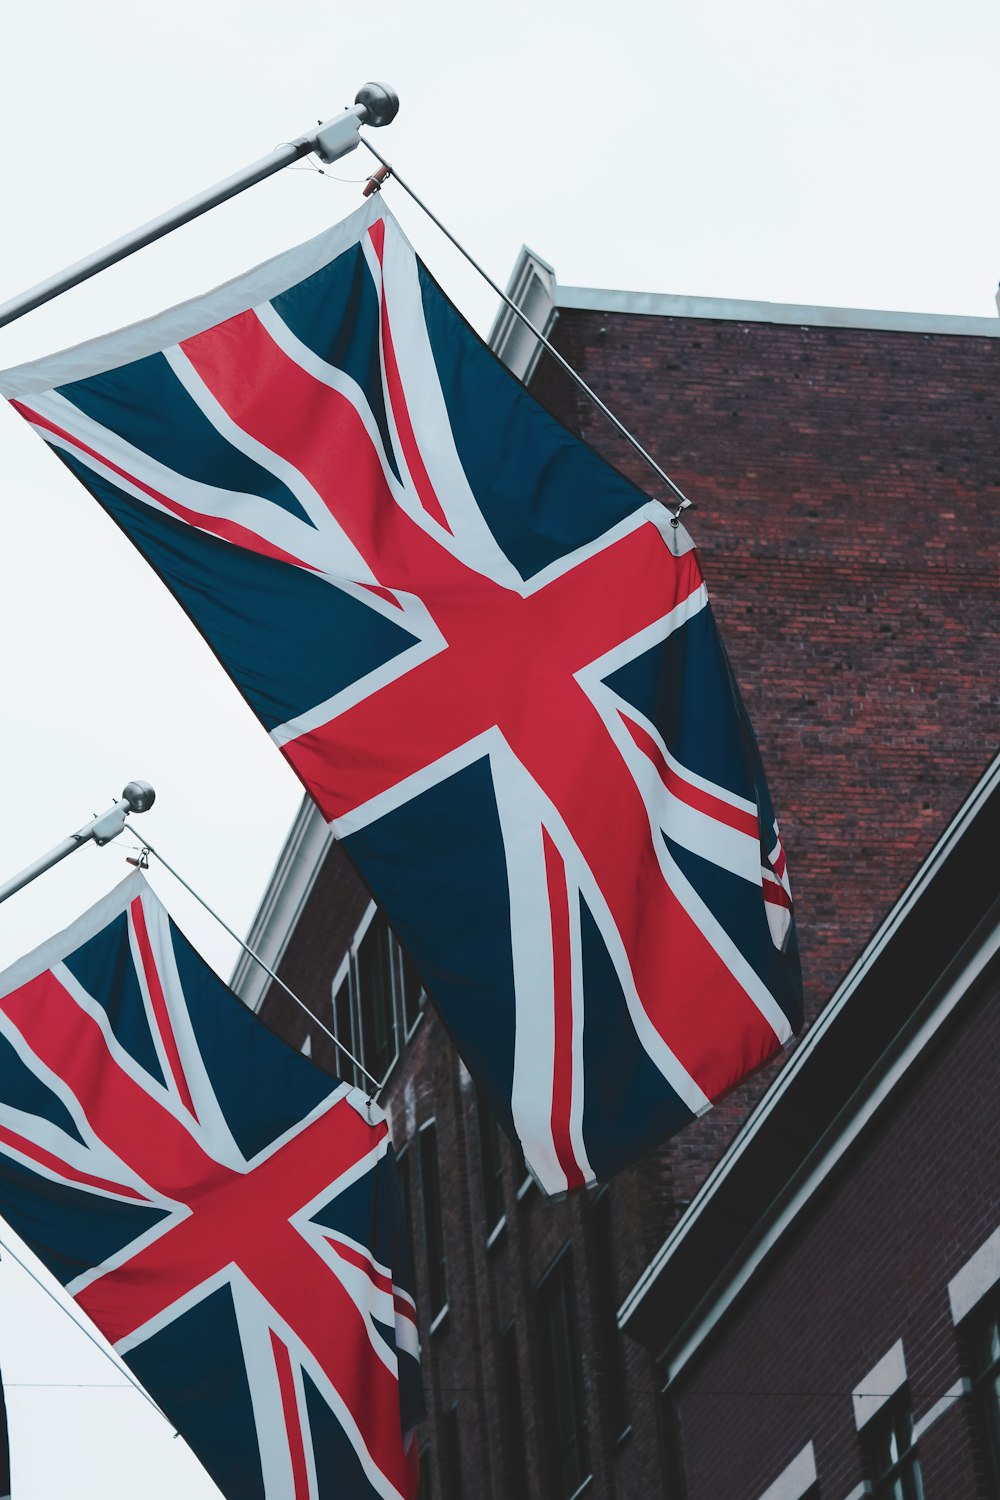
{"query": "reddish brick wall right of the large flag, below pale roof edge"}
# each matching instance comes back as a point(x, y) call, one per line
point(848, 514)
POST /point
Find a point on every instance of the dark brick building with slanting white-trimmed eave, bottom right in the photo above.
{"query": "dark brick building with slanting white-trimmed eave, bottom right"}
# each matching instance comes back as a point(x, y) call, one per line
point(831, 1303)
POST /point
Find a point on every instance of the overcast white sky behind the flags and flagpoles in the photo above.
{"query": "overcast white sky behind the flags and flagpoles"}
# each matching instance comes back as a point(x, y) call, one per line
point(834, 152)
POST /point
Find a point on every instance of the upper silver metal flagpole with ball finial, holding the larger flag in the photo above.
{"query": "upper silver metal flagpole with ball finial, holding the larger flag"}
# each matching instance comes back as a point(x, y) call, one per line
point(376, 104)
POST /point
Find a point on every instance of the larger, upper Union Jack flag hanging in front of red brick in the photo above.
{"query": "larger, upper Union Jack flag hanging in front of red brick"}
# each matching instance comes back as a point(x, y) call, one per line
point(488, 656)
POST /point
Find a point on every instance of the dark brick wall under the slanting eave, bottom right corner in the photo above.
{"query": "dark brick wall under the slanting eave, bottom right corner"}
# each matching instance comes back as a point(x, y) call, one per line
point(869, 1267)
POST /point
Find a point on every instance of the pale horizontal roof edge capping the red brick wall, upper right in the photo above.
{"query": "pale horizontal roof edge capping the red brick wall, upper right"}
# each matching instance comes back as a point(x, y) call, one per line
point(726, 310)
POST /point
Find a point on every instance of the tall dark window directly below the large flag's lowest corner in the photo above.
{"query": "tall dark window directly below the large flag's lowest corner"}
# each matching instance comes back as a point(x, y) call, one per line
point(563, 1382)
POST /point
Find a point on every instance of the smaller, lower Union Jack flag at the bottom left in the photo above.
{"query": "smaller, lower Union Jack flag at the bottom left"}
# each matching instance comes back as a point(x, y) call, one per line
point(226, 1213)
